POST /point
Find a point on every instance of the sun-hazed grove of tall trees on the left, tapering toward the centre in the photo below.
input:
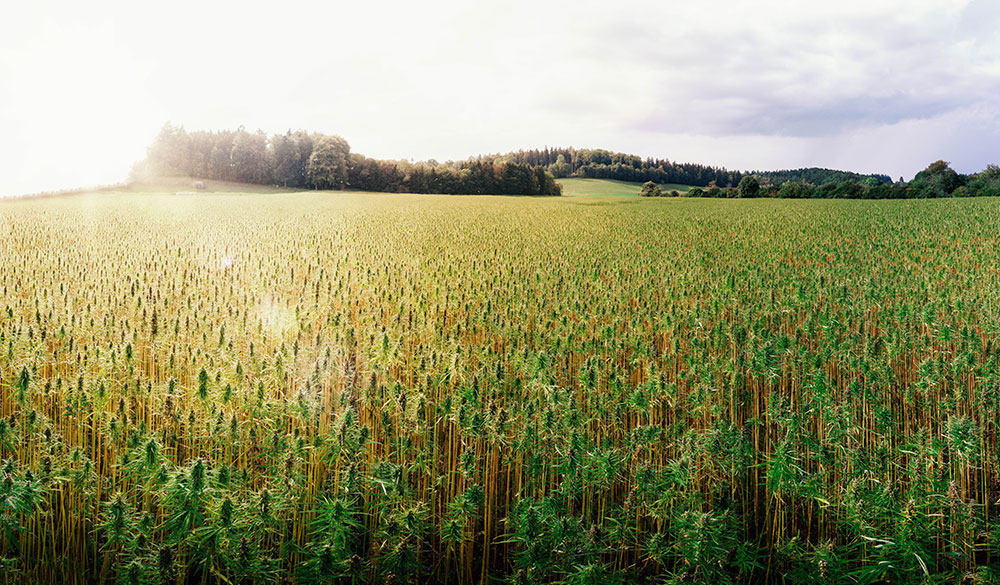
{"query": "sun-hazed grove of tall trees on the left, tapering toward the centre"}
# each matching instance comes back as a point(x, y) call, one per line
point(317, 161)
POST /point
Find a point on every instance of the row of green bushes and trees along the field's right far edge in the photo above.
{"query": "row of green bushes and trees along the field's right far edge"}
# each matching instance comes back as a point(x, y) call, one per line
point(937, 180)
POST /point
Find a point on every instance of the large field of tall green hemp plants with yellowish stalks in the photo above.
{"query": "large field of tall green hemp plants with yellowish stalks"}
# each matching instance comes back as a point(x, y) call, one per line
point(347, 388)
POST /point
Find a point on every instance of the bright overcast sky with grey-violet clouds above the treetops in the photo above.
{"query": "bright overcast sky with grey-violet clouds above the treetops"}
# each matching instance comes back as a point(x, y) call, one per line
point(867, 85)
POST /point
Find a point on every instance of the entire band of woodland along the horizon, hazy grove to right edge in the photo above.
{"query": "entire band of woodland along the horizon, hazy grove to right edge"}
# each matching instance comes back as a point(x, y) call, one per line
point(317, 161)
